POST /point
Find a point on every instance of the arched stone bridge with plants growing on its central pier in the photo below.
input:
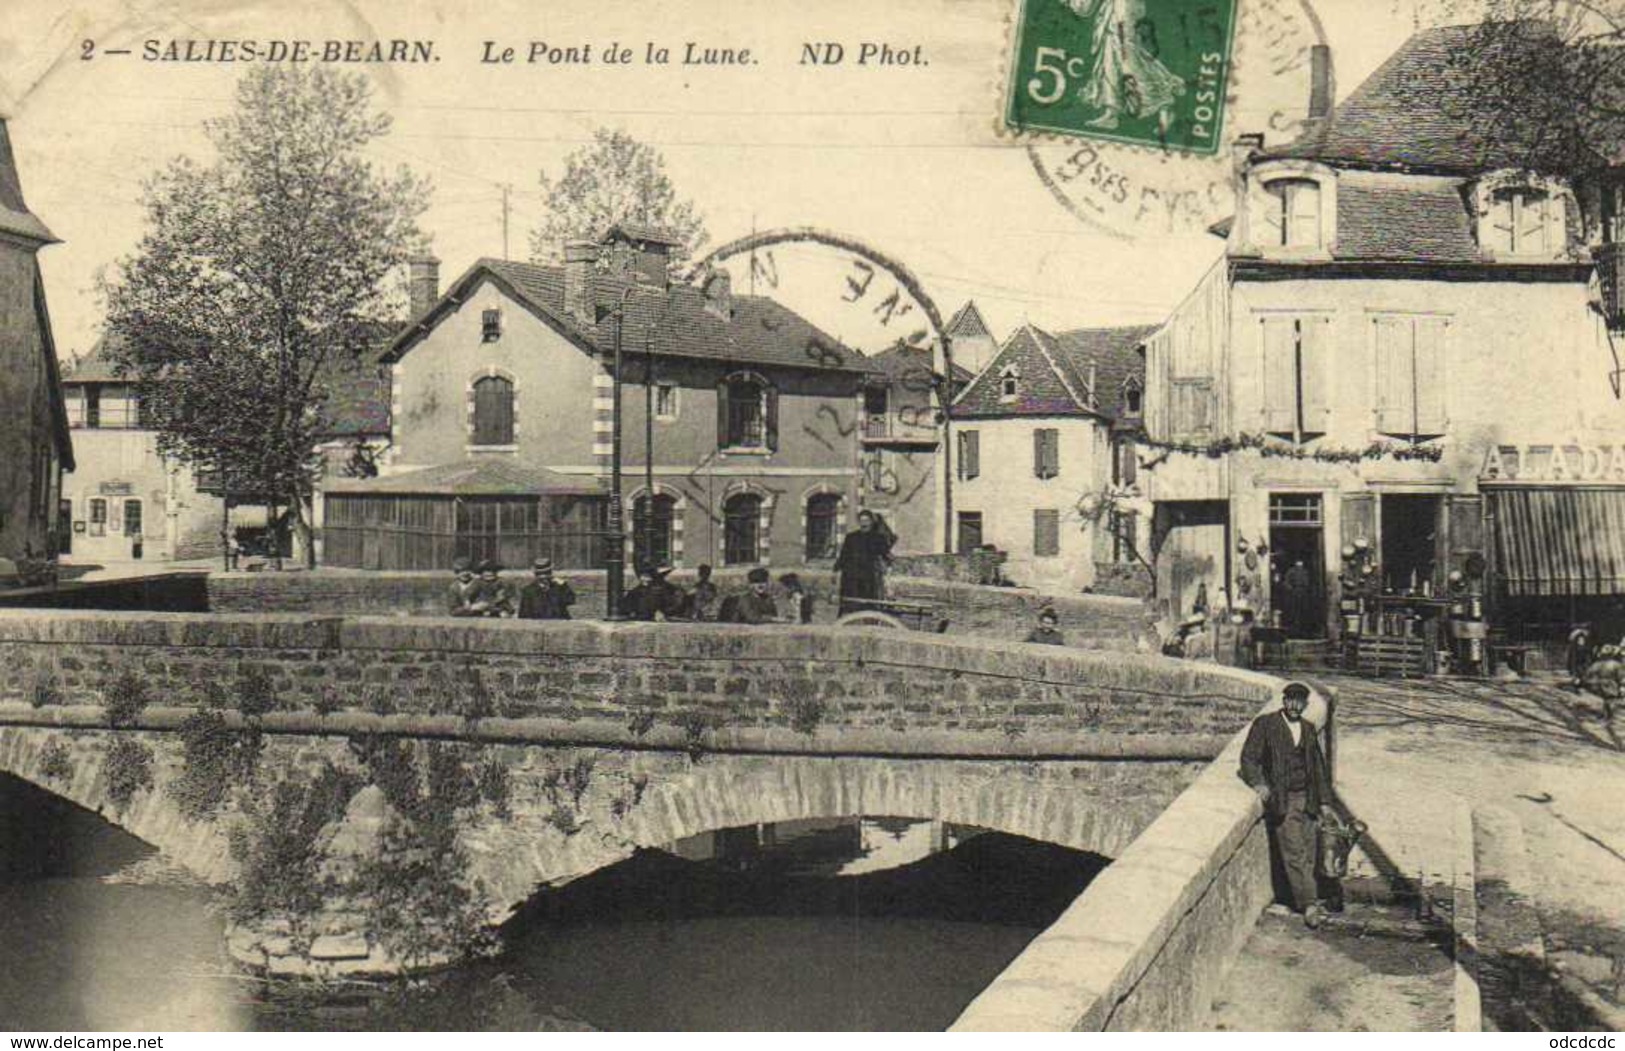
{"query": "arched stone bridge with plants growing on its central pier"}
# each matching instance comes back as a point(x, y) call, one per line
point(610, 738)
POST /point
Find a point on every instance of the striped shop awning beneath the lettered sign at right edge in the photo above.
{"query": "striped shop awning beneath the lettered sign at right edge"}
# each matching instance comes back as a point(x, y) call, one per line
point(1561, 542)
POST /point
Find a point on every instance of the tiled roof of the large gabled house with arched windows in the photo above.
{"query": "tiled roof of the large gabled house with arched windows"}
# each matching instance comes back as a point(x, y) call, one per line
point(760, 331)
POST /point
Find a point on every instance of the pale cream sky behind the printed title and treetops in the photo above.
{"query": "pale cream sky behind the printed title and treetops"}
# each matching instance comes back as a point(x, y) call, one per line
point(911, 160)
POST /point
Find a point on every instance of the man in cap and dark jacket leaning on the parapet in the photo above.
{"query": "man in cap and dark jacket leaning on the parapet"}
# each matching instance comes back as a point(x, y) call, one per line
point(1285, 764)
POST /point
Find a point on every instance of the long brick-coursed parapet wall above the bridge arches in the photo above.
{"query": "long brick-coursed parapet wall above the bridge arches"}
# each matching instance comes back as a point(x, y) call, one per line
point(696, 678)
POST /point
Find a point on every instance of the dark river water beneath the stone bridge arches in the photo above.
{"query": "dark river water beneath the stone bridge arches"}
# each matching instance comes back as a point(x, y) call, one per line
point(825, 925)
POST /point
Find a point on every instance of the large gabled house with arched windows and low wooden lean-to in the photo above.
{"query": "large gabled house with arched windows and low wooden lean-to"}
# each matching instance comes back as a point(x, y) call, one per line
point(503, 404)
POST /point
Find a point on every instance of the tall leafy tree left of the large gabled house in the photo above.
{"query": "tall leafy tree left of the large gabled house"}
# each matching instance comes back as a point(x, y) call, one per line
point(256, 274)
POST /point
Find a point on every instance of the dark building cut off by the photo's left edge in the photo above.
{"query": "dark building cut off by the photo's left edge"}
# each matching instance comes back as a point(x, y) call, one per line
point(35, 443)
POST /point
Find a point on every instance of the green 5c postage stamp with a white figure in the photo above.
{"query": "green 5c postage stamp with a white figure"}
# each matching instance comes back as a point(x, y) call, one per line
point(1129, 71)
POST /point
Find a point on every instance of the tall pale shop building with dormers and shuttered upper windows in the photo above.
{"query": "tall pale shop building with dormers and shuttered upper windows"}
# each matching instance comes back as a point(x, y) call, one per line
point(1402, 305)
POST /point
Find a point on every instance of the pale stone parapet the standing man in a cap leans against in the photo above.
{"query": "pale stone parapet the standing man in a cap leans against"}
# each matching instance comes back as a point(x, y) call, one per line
point(1146, 946)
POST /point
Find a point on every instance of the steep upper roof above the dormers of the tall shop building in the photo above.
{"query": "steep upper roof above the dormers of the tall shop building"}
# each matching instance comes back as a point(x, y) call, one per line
point(1429, 108)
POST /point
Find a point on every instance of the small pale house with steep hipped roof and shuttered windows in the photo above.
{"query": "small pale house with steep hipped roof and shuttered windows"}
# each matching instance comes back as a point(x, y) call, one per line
point(1034, 439)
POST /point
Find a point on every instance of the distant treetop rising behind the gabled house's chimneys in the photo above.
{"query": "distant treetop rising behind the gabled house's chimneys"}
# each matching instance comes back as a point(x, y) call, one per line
point(617, 179)
